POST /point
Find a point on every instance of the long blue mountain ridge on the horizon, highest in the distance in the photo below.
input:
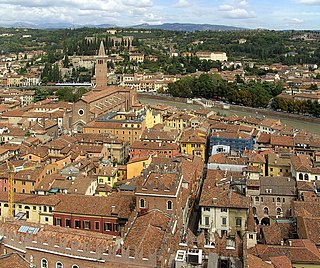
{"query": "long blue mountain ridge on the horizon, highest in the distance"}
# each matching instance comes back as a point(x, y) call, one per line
point(188, 27)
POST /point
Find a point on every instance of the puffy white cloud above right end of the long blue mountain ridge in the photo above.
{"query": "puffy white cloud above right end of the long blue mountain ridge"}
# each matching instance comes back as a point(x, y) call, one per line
point(237, 10)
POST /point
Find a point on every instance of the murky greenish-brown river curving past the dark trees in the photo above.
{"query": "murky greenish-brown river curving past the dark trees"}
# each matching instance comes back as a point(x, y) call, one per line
point(313, 127)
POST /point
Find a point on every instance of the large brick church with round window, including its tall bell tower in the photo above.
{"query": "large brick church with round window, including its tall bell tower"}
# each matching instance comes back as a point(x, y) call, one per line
point(102, 98)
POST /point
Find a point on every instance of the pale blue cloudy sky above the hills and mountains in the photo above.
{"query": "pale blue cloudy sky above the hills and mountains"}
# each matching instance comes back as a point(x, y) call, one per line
point(271, 14)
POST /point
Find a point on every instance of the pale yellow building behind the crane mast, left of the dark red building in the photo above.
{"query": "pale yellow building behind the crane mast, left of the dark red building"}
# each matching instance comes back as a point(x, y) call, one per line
point(32, 208)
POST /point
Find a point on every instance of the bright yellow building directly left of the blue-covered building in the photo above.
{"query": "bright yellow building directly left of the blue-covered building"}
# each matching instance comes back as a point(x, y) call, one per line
point(193, 142)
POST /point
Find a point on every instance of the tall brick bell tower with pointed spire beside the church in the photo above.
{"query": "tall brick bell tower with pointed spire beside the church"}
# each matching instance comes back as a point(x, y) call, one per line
point(101, 68)
